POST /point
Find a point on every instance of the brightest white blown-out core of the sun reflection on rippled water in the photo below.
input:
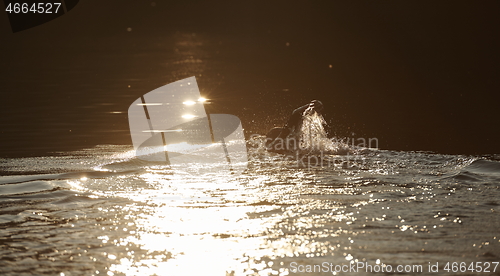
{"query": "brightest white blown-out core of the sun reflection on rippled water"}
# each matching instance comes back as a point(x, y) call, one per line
point(199, 234)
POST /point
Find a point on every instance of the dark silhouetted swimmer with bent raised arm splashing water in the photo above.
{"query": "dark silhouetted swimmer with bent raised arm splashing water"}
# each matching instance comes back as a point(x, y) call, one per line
point(278, 134)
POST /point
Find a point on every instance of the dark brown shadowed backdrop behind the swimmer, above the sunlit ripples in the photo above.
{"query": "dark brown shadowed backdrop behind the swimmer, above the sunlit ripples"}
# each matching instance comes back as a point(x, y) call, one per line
point(417, 75)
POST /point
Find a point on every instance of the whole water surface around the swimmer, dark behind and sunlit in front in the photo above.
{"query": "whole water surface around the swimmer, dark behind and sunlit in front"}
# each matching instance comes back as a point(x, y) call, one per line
point(75, 201)
